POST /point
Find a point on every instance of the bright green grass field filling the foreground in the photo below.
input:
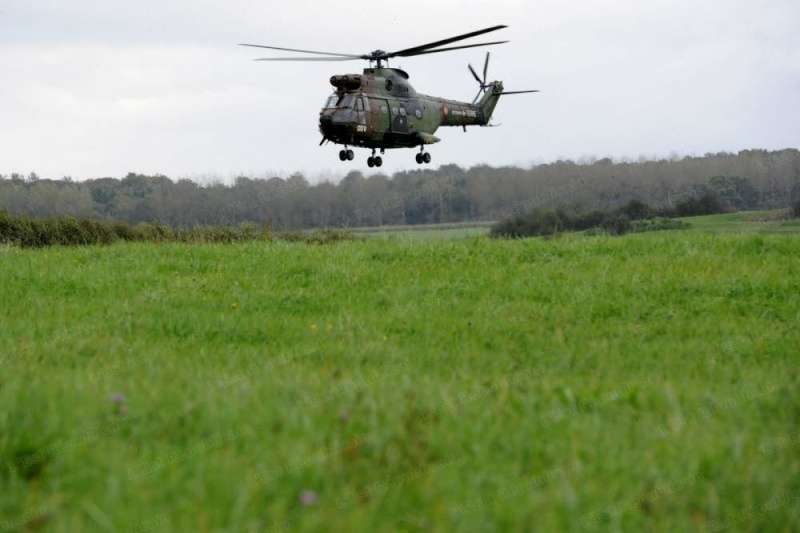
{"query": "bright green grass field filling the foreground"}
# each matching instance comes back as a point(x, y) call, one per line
point(639, 383)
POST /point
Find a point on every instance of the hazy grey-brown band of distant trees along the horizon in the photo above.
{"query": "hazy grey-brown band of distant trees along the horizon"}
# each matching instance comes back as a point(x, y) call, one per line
point(750, 179)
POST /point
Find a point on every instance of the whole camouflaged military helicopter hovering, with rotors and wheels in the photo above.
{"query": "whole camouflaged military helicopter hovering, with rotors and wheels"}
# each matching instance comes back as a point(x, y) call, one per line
point(379, 109)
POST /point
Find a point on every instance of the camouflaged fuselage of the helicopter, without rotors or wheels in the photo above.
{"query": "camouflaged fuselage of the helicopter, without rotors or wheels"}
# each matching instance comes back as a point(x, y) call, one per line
point(380, 109)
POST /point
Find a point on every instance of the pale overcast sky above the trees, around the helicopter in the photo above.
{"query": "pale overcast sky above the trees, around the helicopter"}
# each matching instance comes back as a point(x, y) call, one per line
point(92, 88)
